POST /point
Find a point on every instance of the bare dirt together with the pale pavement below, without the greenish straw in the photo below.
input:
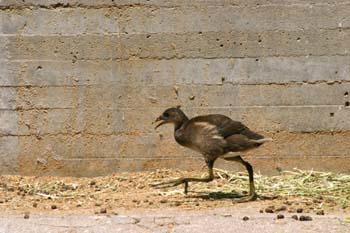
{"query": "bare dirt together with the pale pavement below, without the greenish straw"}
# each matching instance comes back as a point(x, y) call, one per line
point(126, 203)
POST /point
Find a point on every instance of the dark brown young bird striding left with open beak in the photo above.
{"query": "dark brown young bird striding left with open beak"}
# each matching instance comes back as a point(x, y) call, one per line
point(214, 136)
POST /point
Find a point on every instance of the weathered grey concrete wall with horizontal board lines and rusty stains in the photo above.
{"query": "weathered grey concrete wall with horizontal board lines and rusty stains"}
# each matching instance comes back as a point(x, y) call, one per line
point(81, 81)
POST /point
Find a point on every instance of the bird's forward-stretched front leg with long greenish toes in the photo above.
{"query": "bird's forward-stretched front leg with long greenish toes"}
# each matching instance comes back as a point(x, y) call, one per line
point(186, 180)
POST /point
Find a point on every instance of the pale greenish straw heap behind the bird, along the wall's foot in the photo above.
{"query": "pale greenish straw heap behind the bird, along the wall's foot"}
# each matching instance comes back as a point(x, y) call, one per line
point(313, 184)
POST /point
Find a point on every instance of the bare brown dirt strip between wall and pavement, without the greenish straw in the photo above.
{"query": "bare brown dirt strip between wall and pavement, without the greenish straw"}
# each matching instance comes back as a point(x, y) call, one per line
point(125, 192)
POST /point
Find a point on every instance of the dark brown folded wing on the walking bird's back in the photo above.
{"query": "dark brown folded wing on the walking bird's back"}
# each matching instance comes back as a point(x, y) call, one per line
point(225, 126)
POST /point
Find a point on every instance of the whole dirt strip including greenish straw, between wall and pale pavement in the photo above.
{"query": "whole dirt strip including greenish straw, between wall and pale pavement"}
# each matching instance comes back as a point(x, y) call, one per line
point(309, 190)
